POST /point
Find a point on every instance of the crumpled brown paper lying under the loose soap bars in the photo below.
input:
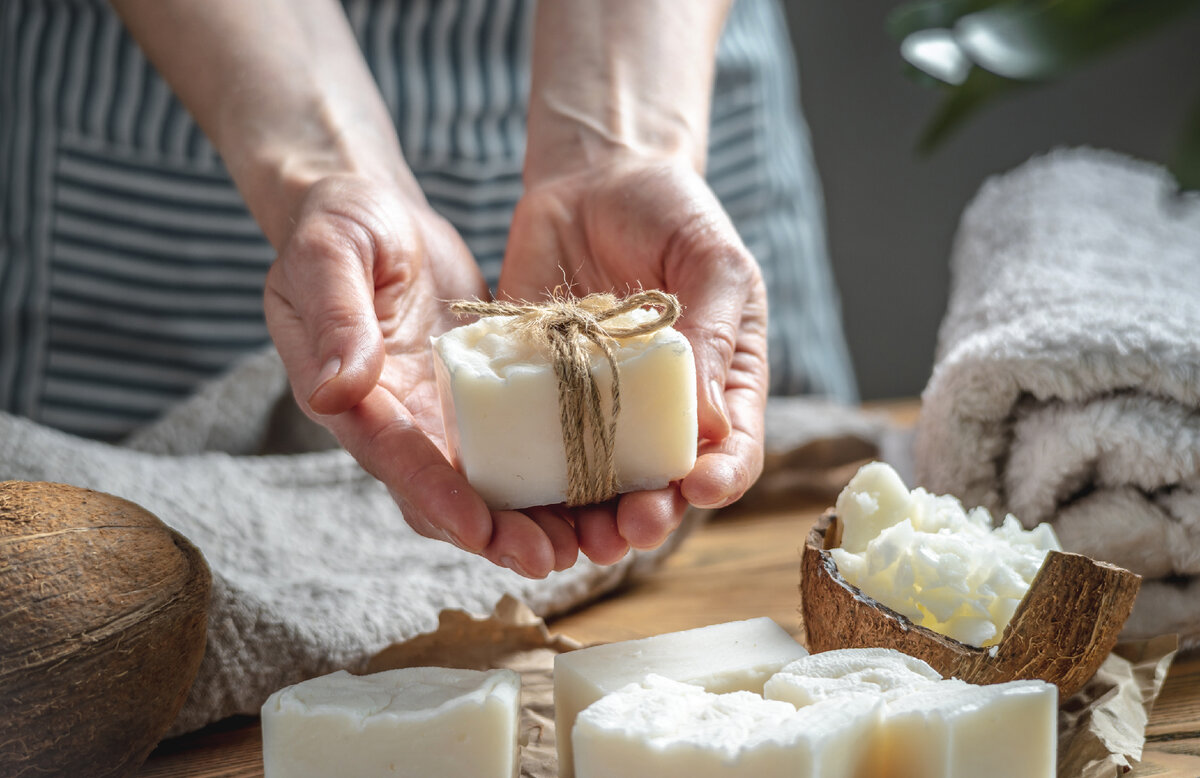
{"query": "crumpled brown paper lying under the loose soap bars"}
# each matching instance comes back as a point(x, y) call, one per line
point(1102, 729)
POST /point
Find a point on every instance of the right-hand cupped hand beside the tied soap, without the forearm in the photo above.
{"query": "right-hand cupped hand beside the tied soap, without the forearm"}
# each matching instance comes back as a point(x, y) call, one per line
point(655, 224)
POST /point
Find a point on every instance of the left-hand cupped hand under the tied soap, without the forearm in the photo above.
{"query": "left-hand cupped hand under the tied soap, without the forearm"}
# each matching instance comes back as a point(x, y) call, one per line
point(359, 288)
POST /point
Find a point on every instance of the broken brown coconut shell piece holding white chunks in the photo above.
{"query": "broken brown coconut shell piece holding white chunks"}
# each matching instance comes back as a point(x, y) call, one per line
point(1061, 632)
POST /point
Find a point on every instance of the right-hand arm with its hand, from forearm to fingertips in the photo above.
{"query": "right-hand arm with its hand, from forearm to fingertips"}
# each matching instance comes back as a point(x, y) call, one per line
point(615, 199)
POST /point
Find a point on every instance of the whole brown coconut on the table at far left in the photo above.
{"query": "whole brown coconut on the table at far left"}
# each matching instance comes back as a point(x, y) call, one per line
point(103, 626)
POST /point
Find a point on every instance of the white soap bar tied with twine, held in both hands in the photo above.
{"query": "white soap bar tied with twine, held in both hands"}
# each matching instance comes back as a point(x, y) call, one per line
point(500, 399)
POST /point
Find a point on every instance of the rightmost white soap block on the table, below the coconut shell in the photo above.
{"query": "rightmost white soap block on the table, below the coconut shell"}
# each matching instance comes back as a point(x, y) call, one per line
point(952, 729)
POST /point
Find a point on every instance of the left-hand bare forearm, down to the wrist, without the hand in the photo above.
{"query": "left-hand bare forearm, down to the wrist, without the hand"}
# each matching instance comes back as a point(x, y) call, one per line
point(281, 91)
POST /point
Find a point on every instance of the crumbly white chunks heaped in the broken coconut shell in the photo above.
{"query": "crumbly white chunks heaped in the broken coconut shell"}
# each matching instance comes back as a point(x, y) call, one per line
point(926, 558)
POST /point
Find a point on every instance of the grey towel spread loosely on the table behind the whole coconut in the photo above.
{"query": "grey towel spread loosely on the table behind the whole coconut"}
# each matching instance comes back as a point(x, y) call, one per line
point(314, 566)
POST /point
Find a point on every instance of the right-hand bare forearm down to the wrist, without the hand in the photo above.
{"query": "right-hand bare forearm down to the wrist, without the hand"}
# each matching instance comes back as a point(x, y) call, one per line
point(621, 80)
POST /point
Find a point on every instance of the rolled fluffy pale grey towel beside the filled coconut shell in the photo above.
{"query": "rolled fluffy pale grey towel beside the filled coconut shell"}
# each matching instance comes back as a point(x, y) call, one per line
point(1067, 380)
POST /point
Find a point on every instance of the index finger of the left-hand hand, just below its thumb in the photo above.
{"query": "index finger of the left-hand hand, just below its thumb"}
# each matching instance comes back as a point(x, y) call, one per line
point(436, 499)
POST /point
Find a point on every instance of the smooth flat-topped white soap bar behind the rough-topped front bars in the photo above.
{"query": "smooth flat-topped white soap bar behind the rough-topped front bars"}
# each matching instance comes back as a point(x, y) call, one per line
point(722, 659)
